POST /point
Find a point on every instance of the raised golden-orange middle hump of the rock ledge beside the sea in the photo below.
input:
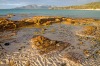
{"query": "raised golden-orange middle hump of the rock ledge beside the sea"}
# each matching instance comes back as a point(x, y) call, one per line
point(42, 20)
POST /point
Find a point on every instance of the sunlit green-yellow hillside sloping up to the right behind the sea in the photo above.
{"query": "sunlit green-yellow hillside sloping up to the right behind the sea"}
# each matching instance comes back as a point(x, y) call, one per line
point(93, 5)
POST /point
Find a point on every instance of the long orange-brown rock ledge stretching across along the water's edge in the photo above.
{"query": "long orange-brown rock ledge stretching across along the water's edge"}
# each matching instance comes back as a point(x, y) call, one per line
point(6, 24)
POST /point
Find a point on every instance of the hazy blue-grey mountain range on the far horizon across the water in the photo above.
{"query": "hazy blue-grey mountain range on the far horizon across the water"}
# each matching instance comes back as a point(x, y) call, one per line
point(34, 7)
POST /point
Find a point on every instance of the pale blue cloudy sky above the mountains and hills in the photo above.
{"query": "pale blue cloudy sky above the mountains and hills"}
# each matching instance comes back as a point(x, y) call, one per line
point(7, 4)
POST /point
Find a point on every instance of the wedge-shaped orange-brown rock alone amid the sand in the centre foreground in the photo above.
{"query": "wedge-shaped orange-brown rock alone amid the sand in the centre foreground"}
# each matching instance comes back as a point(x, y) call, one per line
point(45, 45)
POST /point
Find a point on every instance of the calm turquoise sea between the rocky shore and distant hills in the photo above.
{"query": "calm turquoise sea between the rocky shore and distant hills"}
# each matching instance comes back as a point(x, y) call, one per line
point(47, 12)
